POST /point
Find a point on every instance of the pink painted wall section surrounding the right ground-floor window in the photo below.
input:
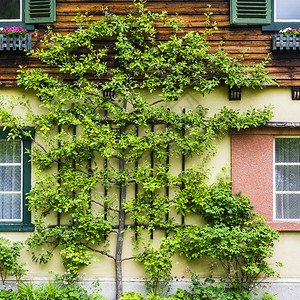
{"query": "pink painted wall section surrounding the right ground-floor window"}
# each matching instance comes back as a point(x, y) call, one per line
point(252, 170)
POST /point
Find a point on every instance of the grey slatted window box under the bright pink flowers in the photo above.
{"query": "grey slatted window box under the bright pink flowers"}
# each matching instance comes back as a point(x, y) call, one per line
point(15, 42)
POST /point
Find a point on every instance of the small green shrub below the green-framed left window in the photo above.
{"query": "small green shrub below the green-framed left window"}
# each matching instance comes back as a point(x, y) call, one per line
point(9, 263)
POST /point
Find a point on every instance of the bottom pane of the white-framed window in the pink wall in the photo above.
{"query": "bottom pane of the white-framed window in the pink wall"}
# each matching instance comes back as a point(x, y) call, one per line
point(288, 206)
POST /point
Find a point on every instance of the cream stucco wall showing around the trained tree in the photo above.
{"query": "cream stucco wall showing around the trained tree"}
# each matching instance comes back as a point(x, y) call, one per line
point(287, 250)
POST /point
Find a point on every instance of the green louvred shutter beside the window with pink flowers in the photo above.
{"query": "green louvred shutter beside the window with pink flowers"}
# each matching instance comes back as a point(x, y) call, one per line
point(40, 11)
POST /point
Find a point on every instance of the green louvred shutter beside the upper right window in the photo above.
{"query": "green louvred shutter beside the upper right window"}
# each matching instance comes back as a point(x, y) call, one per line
point(250, 11)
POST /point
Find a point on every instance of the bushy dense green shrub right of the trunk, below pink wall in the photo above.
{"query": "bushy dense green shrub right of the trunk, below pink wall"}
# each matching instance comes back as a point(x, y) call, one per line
point(234, 235)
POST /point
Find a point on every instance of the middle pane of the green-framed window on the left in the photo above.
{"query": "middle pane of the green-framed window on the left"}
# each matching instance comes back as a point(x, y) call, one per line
point(10, 178)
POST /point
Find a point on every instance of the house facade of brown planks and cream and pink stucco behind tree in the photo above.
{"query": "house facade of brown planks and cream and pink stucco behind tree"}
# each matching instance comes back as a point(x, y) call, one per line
point(264, 162)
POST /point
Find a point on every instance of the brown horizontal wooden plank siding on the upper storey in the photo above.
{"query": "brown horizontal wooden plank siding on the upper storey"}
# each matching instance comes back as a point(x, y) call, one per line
point(285, 65)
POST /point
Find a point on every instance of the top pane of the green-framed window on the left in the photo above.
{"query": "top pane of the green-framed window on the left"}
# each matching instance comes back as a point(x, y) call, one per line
point(10, 152)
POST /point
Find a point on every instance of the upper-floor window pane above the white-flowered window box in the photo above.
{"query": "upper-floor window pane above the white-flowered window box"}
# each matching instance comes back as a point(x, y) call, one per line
point(287, 10)
